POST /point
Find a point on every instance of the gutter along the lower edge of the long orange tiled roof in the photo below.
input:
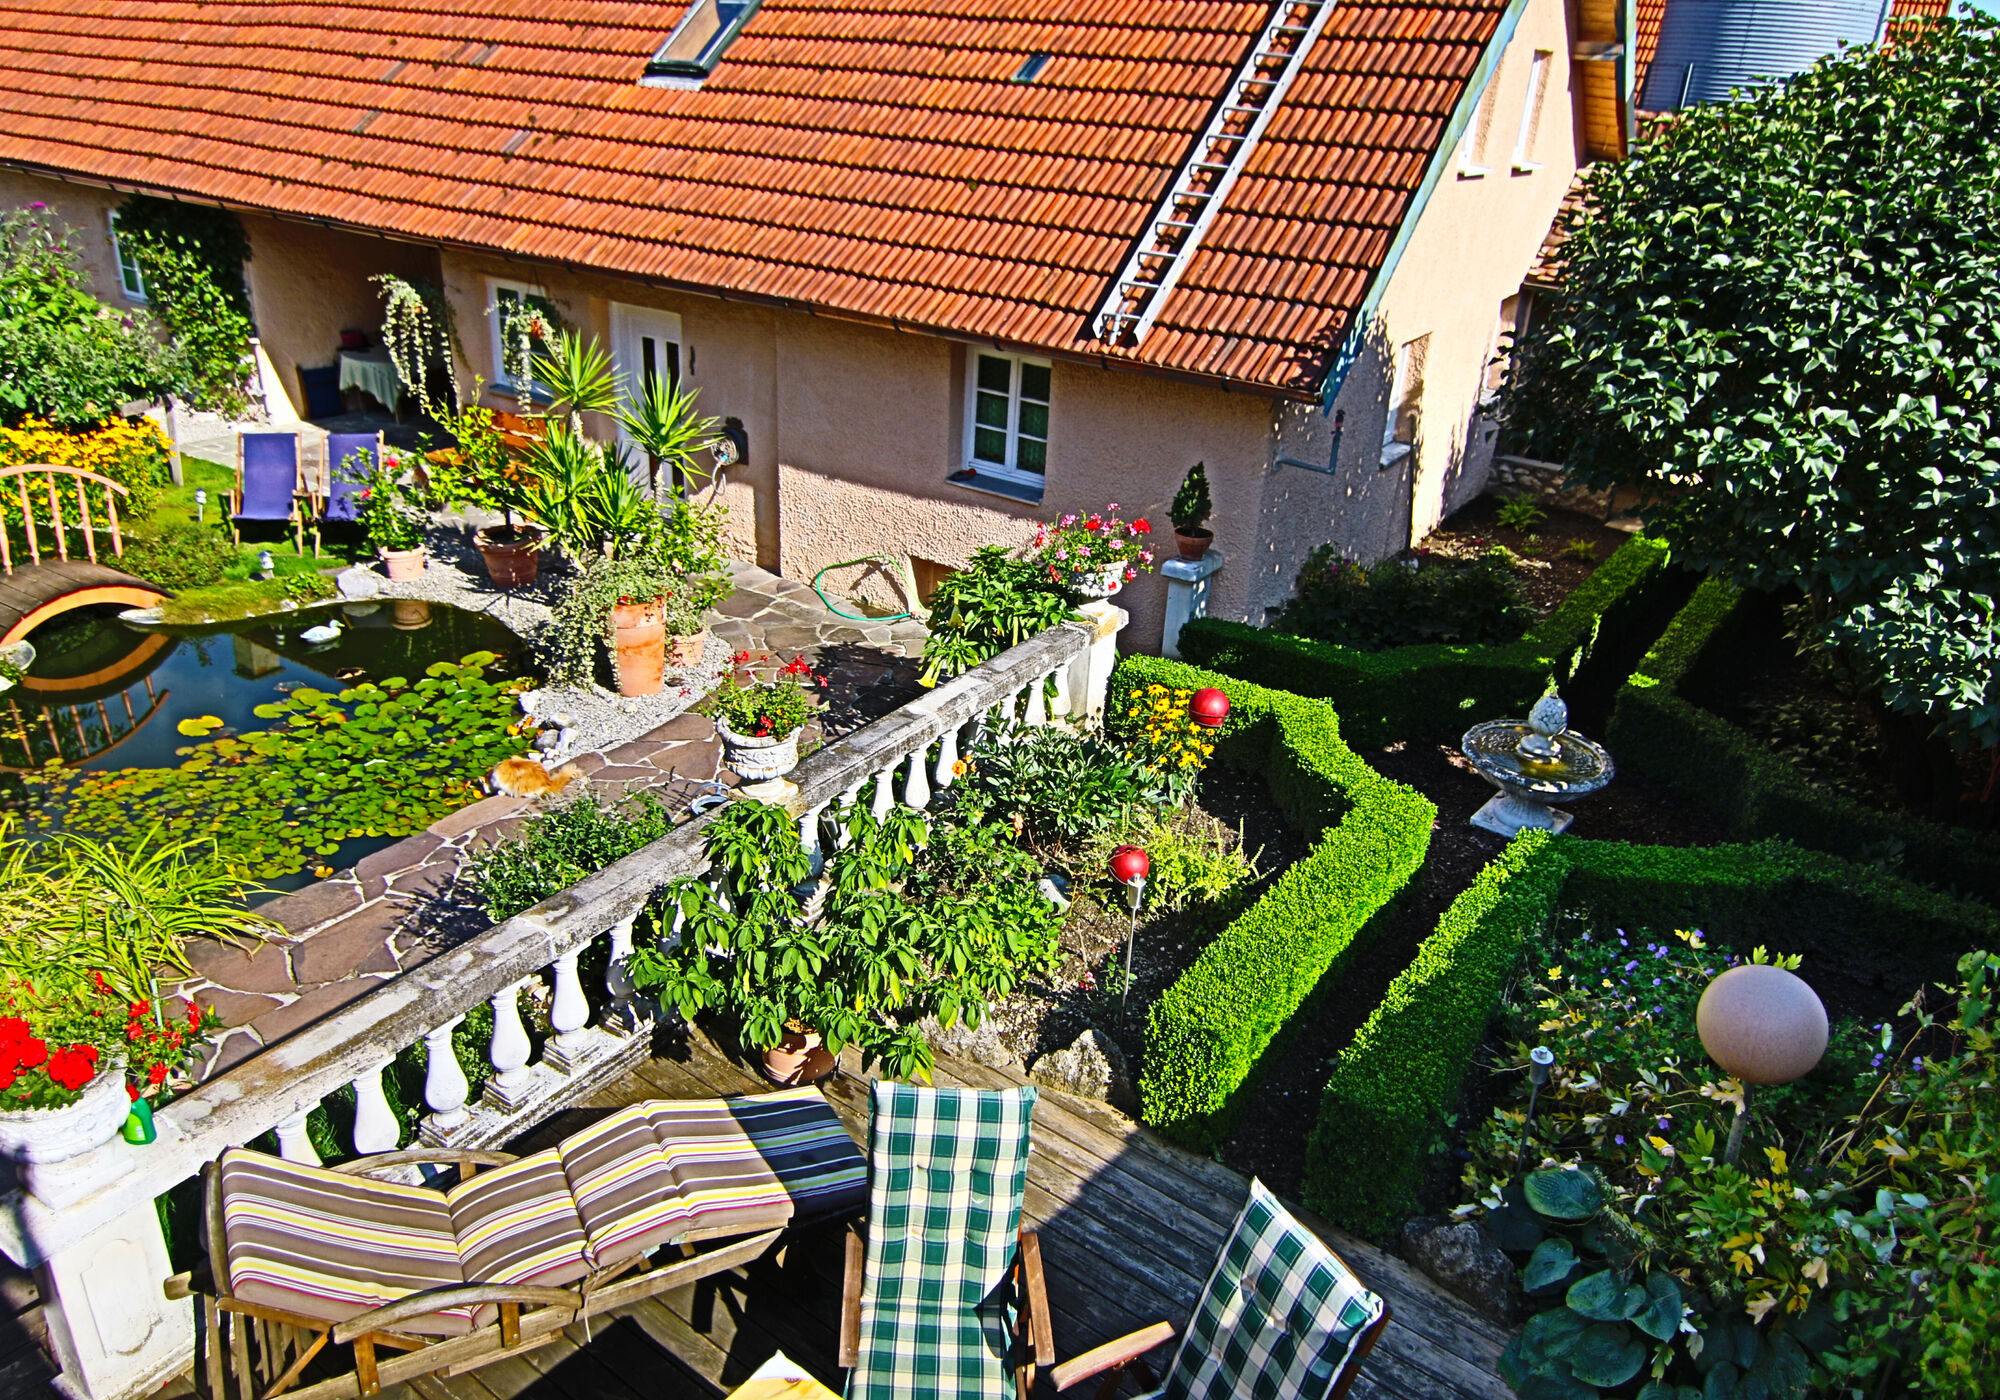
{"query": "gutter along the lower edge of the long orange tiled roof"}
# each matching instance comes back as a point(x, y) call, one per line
point(1097, 359)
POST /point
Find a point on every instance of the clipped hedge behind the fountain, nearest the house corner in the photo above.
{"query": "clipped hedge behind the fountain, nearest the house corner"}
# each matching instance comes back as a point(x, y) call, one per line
point(1413, 691)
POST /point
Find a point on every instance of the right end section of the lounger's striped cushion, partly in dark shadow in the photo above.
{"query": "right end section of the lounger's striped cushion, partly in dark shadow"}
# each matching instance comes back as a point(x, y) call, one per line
point(757, 1163)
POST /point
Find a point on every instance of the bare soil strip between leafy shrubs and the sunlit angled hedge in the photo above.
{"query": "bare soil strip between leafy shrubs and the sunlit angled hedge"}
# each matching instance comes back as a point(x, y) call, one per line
point(1049, 1015)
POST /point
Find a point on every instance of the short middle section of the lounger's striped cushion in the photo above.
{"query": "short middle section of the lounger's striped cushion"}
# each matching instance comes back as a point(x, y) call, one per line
point(519, 1225)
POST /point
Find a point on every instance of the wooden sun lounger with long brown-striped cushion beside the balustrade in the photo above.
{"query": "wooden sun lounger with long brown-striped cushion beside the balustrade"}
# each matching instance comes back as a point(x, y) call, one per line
point(305, 1257)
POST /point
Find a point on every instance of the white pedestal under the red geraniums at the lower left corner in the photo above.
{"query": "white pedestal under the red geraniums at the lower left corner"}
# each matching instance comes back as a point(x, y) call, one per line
point(113, 1329)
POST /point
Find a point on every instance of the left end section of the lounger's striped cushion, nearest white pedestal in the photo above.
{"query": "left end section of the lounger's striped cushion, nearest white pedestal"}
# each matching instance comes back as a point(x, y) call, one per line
point(327, 1245)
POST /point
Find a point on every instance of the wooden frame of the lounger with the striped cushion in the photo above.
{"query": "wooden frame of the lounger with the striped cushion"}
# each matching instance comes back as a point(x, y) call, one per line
point(267, 1349)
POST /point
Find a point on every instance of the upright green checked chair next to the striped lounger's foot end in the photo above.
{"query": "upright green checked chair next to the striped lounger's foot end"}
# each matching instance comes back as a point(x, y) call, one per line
point(945, 1301)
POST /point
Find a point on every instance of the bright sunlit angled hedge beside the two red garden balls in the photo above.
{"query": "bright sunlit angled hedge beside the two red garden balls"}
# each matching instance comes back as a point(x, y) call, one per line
point(1209, 1031)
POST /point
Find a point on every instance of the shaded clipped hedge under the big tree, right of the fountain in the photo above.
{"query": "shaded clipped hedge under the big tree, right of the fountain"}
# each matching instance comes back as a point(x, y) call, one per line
point(1713, 765)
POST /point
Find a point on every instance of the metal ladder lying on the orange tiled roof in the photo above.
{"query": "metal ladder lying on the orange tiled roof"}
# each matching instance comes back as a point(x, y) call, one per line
point(1203, 183)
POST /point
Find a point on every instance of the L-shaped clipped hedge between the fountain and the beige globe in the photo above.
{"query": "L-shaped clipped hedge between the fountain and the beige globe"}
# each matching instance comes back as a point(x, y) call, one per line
point(1409, 1063)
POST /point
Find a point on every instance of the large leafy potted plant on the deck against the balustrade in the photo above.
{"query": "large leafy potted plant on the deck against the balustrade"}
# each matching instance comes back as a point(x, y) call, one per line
point(861, 957)
